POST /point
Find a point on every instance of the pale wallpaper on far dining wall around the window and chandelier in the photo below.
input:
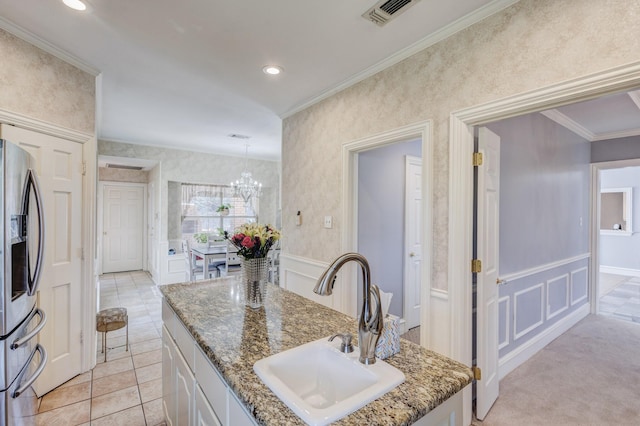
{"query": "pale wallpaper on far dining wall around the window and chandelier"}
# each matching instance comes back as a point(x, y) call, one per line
point(197, 167)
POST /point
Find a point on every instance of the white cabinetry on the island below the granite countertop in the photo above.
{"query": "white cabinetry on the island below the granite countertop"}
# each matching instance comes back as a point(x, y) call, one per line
point(193, 392)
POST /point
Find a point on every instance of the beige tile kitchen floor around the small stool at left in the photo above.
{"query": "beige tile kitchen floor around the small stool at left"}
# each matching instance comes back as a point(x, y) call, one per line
point(127, 389)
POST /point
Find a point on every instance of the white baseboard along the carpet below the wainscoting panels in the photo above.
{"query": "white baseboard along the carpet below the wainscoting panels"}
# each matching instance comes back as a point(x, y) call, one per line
point(518, 356)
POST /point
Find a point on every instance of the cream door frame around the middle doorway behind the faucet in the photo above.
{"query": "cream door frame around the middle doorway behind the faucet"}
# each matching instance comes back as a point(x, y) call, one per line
point(423, 130)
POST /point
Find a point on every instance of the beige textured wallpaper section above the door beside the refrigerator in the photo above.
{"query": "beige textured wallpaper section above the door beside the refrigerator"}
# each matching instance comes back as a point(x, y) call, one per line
point(39, 85)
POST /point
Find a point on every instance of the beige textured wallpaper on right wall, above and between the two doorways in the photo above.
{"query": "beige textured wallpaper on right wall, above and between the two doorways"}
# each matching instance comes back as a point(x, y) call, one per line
point(531, 44)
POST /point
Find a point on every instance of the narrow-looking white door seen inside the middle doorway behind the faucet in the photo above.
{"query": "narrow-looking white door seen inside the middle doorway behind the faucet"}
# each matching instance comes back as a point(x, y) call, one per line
point(412, 241)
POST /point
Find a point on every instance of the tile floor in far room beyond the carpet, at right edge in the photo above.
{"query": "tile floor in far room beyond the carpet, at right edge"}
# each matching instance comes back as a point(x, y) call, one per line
point(620, 297)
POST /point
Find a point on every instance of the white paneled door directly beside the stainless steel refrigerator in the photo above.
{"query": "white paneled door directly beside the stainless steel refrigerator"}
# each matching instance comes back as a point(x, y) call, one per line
point(59, 168)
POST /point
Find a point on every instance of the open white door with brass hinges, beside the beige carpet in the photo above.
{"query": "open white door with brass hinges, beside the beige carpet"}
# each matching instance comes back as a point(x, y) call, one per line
point(487, 288)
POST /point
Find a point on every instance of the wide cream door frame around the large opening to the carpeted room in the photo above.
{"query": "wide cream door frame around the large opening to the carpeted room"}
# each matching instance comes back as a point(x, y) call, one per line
point(461, 126)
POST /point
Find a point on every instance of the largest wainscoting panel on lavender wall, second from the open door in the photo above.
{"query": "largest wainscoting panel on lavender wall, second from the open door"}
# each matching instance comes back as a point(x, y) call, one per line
point(528, 308)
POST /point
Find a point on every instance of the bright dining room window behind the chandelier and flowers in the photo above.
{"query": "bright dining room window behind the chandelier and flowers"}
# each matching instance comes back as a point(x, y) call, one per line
point(199, 210)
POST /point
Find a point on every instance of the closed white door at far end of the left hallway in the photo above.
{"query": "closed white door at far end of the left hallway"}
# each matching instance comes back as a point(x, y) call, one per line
point(123, 227)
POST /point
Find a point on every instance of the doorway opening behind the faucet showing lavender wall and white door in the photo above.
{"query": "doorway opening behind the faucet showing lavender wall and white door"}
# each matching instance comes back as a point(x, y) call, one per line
point(383, 206)
